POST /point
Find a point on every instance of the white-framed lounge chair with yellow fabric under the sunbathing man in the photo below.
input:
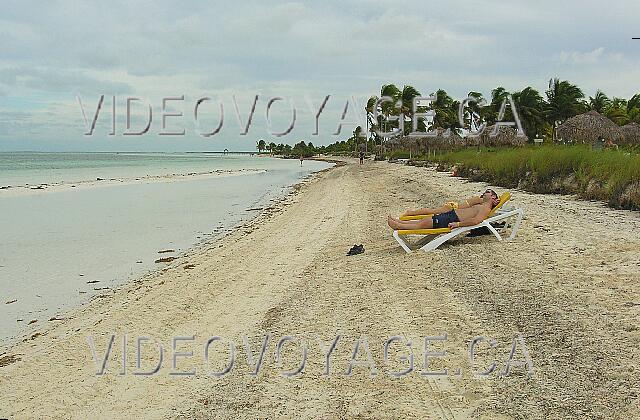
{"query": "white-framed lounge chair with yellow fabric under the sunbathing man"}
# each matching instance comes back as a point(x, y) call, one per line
point(441, 235)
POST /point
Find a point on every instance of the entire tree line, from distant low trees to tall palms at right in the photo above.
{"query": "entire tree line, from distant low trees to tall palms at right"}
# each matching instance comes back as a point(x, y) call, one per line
point(540, 116)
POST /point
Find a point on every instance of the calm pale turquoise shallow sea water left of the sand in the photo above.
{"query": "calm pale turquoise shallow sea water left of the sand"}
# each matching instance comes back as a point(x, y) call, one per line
point(59, 245)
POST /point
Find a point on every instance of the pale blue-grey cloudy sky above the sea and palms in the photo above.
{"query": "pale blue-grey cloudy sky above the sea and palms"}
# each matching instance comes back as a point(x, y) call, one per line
point(52, 53)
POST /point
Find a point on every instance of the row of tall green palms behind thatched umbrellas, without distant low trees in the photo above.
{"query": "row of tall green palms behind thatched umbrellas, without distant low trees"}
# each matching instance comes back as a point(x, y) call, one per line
point(539, 116)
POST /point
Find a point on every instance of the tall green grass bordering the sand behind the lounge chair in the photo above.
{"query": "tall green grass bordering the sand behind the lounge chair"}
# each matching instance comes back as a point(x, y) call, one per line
point(608, 175)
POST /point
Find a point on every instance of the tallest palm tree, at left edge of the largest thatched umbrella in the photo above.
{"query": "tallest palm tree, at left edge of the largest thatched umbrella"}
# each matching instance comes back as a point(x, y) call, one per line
point(564, 100)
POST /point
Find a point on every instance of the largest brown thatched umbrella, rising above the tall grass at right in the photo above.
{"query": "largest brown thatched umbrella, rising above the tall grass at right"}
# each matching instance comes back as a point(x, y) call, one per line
point(588, 127)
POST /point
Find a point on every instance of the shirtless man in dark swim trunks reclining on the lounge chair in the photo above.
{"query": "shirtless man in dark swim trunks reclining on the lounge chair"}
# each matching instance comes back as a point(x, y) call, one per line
point(452, 214)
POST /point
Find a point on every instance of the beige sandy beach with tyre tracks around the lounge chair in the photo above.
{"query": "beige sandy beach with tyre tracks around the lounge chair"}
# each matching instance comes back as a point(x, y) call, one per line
point(566, 287)
